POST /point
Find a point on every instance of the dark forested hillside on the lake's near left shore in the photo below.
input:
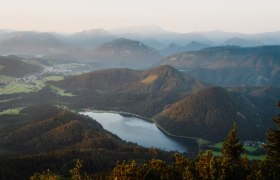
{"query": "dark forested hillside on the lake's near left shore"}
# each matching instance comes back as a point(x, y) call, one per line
point(46, 137)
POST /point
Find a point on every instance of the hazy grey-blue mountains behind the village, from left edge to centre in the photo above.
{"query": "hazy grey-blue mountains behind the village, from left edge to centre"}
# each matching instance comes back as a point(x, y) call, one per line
point(96, 46)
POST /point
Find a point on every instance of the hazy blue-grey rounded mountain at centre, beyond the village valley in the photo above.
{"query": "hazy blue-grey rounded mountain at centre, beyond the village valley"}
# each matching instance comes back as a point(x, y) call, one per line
point(124, 52)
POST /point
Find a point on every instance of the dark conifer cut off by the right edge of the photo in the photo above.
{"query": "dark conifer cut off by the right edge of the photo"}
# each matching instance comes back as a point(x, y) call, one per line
point(272, 146)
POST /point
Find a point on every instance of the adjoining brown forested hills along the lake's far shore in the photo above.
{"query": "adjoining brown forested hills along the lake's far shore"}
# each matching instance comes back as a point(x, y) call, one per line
point(182, 105)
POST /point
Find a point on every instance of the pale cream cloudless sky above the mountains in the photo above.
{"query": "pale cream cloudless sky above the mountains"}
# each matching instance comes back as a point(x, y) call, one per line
point(246, 16)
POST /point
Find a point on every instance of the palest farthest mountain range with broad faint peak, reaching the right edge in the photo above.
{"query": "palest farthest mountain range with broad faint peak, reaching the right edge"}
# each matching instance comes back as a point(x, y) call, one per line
point(214, 38)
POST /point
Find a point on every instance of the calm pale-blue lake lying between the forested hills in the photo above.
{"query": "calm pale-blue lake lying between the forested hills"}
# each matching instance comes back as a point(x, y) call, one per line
point(140, 131)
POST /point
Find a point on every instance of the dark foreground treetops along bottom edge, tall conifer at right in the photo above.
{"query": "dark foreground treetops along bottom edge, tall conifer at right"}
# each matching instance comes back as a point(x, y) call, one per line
point(231, 164)
